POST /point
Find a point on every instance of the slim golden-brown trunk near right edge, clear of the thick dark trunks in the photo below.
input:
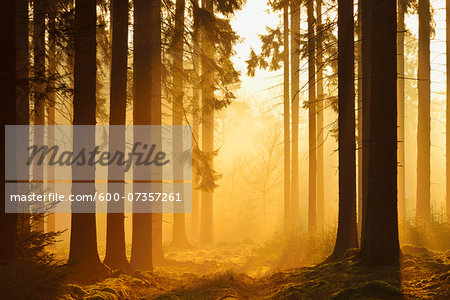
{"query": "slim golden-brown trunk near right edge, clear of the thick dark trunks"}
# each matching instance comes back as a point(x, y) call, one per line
point(423, 213)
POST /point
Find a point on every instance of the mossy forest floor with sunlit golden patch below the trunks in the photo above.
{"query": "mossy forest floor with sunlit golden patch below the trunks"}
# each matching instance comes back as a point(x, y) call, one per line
point(234, 271)
